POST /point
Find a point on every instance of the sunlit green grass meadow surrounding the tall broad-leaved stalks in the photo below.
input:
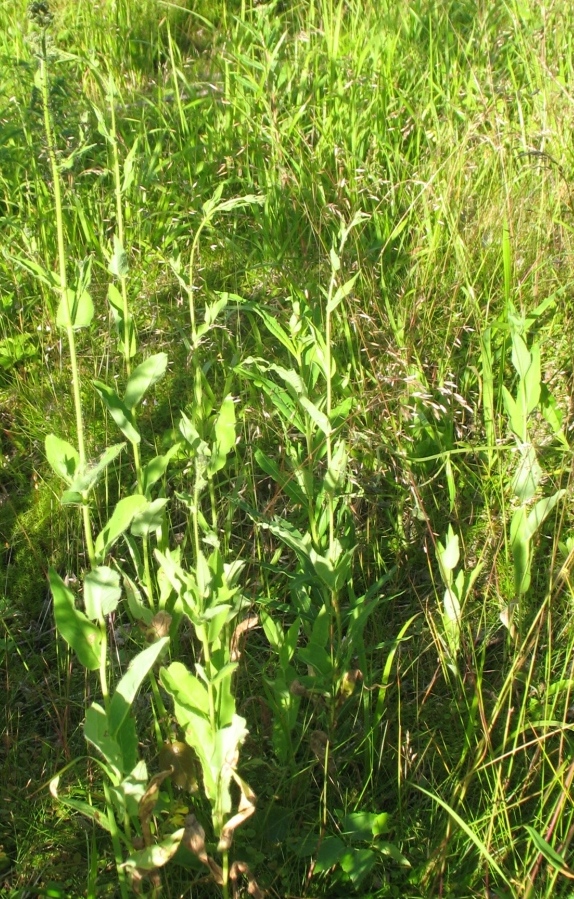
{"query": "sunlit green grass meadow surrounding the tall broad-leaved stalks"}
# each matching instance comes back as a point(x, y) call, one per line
point(448, 123)
